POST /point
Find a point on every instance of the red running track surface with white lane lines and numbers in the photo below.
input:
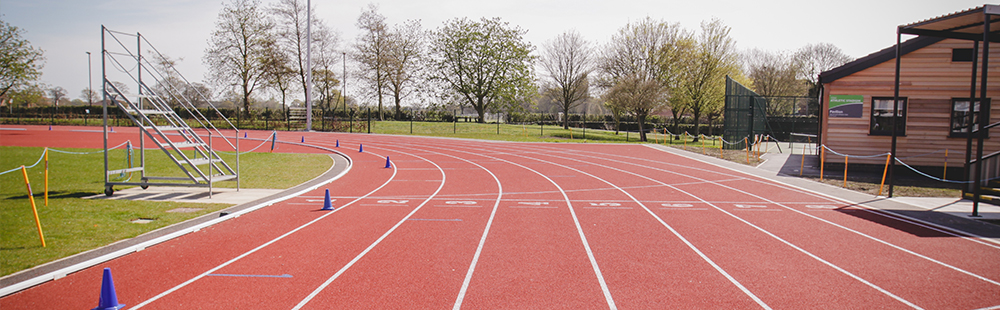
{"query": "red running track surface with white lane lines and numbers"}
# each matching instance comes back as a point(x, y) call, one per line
point(534, 226)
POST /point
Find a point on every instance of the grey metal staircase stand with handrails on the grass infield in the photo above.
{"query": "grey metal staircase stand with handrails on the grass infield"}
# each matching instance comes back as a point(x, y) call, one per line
point(192, 150)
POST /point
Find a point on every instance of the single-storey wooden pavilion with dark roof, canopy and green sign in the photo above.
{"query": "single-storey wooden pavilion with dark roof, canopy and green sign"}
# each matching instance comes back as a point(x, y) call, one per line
point(935, 84)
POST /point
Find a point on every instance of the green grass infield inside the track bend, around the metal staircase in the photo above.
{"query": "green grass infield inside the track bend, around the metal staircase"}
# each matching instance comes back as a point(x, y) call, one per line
point(72, 224)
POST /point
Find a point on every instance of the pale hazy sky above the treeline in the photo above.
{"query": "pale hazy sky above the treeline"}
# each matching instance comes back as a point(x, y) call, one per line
point(67, 29)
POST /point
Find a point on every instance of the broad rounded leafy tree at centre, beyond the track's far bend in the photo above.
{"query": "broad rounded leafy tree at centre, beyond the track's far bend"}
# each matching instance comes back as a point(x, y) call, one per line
point(485, 62)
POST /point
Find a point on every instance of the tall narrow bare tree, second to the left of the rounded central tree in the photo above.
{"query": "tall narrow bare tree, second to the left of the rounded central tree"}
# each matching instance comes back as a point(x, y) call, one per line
point(372, 52)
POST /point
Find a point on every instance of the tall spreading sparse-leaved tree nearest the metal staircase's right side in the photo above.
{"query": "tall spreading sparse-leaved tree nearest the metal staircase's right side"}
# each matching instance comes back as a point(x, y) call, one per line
point(239, 47)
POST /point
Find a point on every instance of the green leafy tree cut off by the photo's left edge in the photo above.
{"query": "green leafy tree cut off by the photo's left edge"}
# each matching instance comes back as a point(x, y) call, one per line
point(20, 63)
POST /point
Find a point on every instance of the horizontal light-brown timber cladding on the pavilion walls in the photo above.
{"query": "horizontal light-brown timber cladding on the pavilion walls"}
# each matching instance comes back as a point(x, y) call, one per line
point(929, 80)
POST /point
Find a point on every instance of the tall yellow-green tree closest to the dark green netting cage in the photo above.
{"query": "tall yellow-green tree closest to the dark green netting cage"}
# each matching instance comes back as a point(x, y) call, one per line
point(702, 87)
